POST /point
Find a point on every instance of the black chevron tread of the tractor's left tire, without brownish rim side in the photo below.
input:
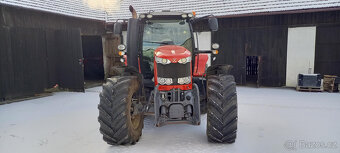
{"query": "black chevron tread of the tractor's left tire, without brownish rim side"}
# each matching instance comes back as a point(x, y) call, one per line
point(112, 117)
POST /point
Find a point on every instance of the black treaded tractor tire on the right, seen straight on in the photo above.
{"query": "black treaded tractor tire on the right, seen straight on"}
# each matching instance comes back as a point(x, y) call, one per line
point(221, 109)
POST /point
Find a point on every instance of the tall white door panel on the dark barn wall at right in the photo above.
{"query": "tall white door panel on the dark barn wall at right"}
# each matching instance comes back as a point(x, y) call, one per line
point(300, 53)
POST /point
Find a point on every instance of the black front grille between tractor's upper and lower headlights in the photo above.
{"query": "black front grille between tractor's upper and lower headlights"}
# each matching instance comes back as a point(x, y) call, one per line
point(174, 71)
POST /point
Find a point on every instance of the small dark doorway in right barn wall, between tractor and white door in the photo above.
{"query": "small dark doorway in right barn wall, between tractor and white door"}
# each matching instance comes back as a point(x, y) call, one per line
point(252, 70)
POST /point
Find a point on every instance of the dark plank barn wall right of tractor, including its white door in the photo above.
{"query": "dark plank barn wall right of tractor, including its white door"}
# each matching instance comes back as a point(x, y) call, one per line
point(271, 49)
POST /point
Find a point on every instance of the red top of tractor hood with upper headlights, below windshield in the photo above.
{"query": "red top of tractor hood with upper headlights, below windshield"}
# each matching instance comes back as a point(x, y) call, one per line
point(172, 52)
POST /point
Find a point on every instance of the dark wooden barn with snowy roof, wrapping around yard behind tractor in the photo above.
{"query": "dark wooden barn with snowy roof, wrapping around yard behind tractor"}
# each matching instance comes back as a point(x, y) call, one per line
point(44, 43)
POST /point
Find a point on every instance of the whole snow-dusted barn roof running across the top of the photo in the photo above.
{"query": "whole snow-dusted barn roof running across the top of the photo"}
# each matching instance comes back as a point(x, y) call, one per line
point(111, 10)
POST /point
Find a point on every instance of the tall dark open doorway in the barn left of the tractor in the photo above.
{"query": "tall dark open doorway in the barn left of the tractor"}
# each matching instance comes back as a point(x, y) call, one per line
point(93, 60)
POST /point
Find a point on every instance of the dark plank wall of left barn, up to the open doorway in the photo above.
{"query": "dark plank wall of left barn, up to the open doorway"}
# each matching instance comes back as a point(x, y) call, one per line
point(31, 46)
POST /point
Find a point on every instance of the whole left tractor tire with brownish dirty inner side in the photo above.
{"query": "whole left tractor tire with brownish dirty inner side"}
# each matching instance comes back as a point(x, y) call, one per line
point(118, 124)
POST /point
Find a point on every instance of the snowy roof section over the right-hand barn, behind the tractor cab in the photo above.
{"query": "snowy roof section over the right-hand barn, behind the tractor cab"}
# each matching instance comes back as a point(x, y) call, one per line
point(220, 7)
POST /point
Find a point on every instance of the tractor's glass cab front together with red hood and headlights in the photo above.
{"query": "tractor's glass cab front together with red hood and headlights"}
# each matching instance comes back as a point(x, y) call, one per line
point(167, 49)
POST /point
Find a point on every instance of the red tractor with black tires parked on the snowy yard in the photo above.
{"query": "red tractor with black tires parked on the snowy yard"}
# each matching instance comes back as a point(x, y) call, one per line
point(165, 75)
